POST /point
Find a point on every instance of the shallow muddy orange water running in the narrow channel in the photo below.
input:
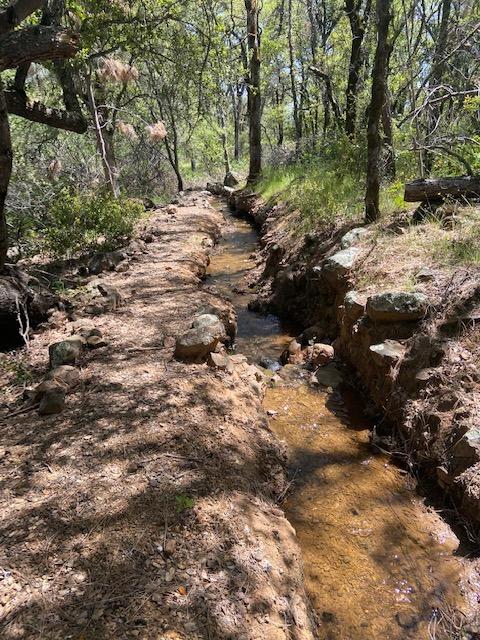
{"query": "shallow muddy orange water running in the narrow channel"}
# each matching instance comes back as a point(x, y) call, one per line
point(378, 563)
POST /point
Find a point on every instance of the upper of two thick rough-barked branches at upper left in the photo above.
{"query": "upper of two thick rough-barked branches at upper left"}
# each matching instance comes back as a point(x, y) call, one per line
point(34, 44)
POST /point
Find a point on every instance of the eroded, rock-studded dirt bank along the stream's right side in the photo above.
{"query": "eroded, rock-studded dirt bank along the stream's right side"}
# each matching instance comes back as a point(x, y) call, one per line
point(419, 362)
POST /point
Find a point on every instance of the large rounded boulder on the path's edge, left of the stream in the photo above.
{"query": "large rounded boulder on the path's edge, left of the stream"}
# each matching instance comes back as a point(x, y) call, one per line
point(206, 332)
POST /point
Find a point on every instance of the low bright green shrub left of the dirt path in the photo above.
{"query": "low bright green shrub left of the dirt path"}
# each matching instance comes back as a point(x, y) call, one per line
point(80, 222)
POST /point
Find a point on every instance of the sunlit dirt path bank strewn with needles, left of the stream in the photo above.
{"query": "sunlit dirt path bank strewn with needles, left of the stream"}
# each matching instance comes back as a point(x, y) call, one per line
point(147, 508)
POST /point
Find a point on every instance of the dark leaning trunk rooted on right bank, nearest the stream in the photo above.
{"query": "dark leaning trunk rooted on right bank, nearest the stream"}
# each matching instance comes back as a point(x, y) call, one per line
point(379, 94)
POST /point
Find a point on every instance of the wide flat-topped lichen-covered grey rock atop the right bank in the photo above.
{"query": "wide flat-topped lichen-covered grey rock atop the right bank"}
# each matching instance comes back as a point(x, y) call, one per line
point(397, 306)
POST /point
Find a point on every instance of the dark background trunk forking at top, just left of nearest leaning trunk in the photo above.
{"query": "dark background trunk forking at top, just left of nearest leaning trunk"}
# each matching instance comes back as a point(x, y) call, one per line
point(357, 26)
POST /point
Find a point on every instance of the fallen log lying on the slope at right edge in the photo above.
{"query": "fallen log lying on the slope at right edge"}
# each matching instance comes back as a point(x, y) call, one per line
point(439, 189)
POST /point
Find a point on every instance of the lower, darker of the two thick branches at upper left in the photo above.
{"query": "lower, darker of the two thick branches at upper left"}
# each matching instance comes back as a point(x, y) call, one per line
point(18, 105)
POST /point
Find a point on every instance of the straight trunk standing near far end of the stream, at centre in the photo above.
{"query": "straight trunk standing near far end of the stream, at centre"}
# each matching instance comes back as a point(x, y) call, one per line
point(254, 95)
